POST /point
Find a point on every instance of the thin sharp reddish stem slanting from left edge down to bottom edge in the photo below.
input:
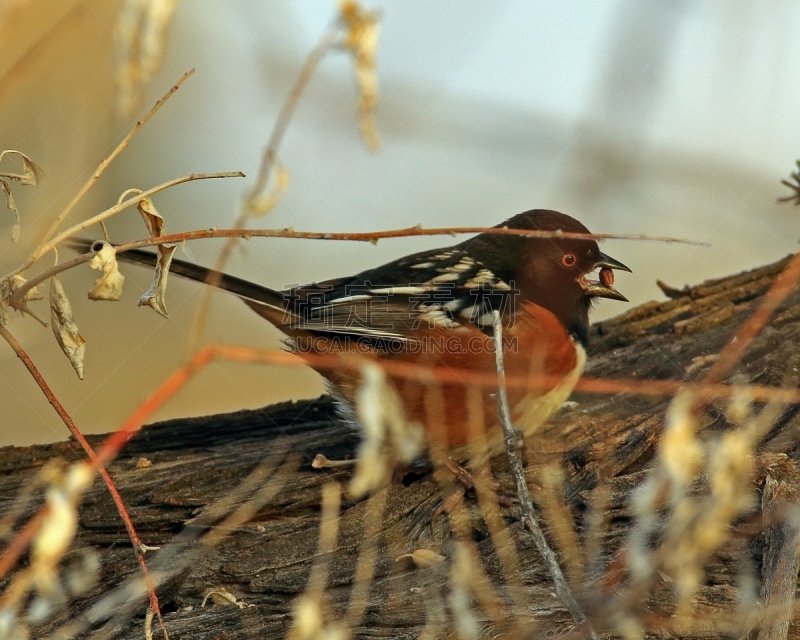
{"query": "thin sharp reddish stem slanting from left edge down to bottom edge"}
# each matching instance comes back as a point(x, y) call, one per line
point(112, 488)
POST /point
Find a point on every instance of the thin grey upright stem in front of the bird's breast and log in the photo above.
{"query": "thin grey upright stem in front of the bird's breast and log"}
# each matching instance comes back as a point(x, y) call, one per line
point(514, 446)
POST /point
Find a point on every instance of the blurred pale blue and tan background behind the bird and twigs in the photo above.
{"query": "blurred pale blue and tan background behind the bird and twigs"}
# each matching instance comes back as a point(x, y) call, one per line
point(671, 117)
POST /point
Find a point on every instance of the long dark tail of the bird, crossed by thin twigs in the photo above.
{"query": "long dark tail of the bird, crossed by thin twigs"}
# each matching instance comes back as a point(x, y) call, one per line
point(249, 291)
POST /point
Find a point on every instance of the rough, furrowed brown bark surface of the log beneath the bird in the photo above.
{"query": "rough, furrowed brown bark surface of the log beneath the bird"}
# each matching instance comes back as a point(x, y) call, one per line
point(602, 445)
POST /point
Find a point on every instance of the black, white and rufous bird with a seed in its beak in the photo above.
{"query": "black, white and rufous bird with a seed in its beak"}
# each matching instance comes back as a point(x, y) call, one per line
point(435, 309)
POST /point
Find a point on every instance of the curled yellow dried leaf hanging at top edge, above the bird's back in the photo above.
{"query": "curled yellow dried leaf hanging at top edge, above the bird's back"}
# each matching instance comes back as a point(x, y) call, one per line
point(361, 39)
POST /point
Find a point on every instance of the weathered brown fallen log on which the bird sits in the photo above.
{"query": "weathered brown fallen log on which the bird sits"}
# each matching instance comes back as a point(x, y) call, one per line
point(583, 469)
